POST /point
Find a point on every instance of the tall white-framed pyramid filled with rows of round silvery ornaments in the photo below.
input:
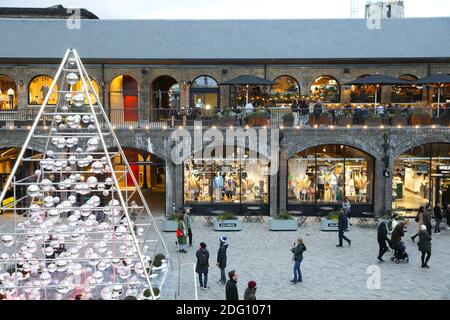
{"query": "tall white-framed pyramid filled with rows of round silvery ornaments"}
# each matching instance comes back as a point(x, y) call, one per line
point(80, 228)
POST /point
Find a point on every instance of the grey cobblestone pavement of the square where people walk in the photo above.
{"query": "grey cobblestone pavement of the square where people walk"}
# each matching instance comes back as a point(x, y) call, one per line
point(328, 272)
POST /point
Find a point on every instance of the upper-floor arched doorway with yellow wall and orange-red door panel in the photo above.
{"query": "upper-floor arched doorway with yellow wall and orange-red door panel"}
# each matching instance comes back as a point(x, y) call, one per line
point(124, 99)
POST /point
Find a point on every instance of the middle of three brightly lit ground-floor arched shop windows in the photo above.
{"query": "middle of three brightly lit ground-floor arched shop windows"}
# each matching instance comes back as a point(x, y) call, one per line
point(328, 174)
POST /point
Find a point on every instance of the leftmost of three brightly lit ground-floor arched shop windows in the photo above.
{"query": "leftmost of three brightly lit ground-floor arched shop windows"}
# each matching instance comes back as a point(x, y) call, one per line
point(236, 179)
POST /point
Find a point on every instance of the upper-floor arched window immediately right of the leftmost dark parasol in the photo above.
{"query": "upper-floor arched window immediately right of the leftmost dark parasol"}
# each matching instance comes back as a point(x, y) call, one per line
point(285, 92)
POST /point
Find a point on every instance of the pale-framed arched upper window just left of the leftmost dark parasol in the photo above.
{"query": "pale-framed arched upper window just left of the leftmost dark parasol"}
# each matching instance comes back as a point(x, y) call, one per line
point(205, 95)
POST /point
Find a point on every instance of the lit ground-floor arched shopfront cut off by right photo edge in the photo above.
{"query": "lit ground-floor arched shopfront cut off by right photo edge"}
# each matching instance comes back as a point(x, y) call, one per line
point(422, 175)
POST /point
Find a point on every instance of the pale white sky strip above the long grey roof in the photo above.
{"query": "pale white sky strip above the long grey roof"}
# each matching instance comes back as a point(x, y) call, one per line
point(231, 9)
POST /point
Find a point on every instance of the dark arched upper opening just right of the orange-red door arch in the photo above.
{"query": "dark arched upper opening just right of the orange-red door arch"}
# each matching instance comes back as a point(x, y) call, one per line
point(165, 93)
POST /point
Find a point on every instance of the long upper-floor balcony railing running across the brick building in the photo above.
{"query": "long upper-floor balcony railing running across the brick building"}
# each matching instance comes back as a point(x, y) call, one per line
point(270, 118)
